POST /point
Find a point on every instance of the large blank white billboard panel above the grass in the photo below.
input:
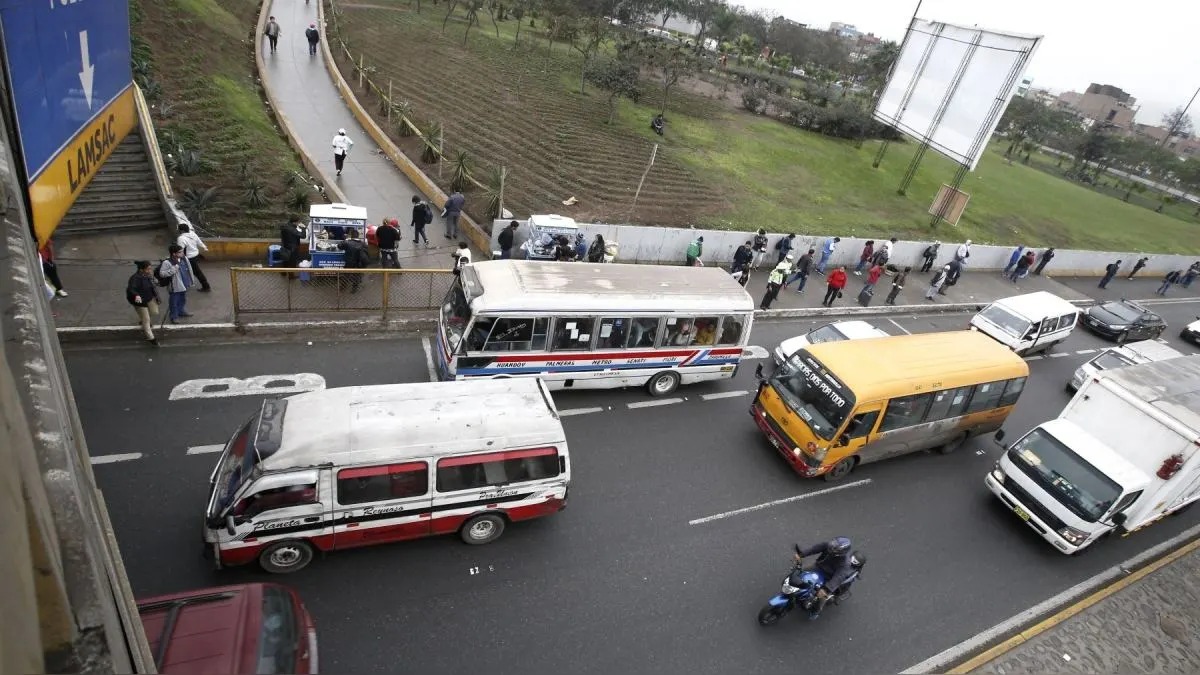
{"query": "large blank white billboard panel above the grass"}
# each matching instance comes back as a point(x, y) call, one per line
point(951, 85)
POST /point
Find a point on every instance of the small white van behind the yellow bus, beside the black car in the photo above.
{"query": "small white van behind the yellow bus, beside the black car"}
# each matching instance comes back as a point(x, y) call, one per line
point(1034, 322)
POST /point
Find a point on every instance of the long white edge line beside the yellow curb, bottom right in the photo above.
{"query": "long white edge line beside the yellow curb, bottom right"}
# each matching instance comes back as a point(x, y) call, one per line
point(944, 661)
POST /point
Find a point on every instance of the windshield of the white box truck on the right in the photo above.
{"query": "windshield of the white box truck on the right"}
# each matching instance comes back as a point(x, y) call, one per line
point(1071, 480)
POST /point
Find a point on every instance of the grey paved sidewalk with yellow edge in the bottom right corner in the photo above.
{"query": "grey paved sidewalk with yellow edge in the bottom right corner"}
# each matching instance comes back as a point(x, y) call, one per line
point(1145, 623)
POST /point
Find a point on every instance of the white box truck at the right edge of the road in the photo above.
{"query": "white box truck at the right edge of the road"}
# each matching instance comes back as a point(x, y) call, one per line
point(1123, 455)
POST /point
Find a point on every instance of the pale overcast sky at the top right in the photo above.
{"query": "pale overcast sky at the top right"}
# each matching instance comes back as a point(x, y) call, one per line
point(1150, 49)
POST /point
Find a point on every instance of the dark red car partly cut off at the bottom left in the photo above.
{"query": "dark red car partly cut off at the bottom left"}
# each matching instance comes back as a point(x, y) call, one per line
point(249, 629)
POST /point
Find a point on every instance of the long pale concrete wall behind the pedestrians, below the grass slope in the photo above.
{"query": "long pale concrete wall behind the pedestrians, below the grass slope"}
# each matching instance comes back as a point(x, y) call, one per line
point(667, 246)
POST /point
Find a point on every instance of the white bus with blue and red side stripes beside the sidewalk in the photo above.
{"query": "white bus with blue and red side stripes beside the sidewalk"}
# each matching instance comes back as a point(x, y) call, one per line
point(585, 326)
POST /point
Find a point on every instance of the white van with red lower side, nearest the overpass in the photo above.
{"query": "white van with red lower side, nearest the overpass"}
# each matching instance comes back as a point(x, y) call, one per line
point(368, 465)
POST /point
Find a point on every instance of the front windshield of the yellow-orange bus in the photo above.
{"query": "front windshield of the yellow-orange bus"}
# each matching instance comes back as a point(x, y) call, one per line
point(814, 395)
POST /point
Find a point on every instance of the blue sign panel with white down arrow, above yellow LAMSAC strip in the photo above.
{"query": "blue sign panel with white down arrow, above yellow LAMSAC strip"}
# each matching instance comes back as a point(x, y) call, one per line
point(68, 61)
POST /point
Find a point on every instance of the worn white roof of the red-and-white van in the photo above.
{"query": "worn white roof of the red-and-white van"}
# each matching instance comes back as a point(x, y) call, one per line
point(351, 426)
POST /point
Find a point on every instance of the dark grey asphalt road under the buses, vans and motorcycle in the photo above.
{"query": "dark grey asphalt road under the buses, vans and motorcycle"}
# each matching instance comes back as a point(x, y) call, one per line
point(621, 581)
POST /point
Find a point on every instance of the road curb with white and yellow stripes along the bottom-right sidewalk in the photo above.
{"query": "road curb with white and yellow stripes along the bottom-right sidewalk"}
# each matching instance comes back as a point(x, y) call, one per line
point(1004, 637)
